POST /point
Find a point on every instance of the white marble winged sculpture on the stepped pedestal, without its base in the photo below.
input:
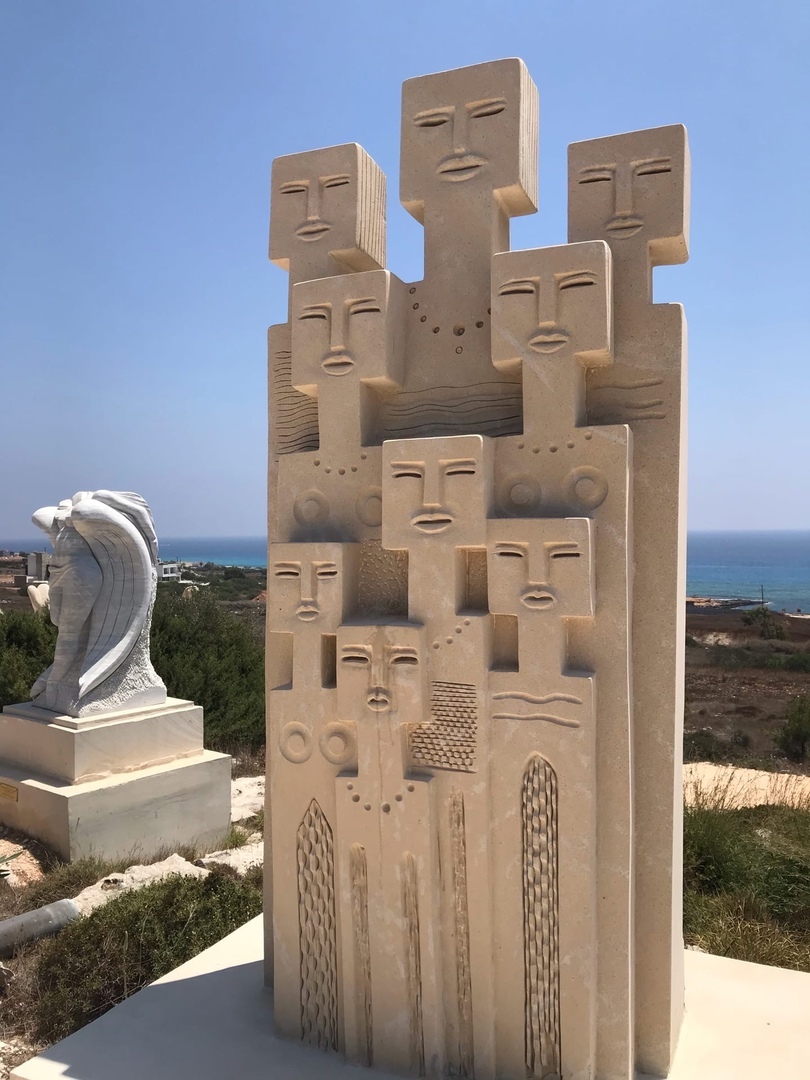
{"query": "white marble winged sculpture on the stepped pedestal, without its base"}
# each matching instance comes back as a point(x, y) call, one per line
point(103, 584)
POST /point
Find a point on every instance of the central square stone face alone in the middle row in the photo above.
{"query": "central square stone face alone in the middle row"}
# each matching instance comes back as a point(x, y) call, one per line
point(436, 488)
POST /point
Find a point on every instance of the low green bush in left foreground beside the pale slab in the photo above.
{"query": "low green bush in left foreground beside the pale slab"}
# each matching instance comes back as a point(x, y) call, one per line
point(116, 951)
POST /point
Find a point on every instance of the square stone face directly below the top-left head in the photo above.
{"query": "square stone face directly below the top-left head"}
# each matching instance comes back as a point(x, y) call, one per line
point(346, 327)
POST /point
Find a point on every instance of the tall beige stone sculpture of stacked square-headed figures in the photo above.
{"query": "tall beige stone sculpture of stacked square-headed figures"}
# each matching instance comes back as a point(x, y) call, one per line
point(476, 585)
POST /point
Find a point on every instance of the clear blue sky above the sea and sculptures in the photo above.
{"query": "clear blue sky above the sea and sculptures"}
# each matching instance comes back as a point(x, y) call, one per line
point(137, 139)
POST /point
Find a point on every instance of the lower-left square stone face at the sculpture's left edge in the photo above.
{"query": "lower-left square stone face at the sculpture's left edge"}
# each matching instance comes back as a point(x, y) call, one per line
point(310, 584)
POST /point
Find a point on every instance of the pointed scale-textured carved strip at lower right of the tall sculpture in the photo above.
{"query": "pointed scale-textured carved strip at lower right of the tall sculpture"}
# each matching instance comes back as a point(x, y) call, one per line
point(541, 914)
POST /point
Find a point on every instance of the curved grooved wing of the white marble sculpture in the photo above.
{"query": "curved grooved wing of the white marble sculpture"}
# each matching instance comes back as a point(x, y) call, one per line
point(111, 522)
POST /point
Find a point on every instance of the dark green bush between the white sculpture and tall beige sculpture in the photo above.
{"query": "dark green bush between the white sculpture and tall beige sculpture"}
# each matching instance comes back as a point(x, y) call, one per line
point(205, 655)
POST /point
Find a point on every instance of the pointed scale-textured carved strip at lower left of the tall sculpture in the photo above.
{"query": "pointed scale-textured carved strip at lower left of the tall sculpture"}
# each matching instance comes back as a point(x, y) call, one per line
point(317, 930)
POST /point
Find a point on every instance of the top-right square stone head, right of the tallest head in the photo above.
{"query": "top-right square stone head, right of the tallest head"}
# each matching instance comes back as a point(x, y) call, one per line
point(632, 191)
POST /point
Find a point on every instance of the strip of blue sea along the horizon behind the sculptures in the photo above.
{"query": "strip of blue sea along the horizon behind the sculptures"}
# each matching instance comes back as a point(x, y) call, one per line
point(751, 565)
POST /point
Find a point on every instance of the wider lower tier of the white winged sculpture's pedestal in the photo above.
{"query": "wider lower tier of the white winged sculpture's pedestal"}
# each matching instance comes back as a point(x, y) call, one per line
point(129, 816)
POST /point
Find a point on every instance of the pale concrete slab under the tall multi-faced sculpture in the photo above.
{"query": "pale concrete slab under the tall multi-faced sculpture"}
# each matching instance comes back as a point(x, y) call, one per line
point(212, 1019)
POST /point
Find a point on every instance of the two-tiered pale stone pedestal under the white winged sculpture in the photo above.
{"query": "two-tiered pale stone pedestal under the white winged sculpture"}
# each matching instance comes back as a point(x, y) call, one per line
point(117, 785)
